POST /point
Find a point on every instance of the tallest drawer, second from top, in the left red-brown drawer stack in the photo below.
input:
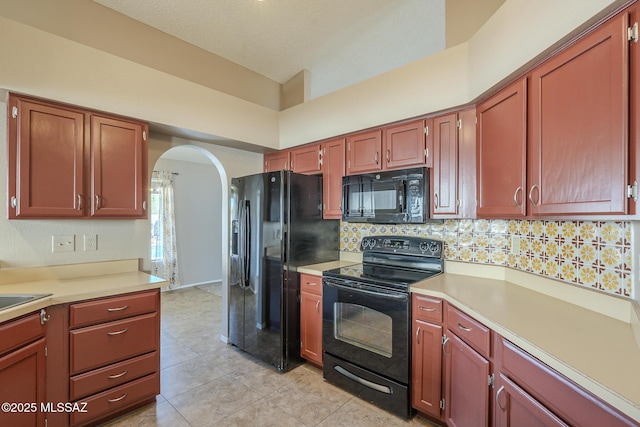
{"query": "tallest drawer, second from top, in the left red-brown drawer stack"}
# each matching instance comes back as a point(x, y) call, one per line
point(96, 346)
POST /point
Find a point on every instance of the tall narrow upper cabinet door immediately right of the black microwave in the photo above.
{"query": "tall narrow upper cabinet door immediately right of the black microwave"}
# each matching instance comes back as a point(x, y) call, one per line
point(445, 165)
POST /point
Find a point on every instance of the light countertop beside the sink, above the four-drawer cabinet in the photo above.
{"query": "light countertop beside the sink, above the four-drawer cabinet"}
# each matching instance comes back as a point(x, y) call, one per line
point(72, 283)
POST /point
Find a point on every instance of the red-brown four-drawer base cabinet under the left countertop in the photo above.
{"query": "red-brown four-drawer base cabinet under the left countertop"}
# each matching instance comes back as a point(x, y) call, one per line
point(114, 364)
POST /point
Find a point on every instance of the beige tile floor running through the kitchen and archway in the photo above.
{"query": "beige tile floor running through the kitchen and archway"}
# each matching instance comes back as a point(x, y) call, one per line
point(206, 383)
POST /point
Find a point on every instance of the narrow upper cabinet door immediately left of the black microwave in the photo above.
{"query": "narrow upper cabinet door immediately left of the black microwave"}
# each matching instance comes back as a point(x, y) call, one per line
point(332, 172)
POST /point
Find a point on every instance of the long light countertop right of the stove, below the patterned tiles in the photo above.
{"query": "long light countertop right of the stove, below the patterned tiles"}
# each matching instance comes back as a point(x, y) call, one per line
point(595, 350)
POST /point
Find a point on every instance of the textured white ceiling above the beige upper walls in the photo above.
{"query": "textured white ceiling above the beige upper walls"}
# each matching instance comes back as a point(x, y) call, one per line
point(340, 42)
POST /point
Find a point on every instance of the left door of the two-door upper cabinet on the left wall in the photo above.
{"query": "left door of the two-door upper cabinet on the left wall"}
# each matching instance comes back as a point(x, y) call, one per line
point(46, 160)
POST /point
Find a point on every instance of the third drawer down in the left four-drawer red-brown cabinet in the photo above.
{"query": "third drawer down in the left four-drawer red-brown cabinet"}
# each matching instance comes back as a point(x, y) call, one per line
point(112, 375)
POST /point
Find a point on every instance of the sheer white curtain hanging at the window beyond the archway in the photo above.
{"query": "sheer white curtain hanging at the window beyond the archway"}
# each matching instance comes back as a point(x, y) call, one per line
point(167, 266)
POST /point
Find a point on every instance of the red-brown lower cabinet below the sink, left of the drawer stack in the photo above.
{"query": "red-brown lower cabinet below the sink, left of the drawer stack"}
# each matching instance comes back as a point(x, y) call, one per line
point(22, 372)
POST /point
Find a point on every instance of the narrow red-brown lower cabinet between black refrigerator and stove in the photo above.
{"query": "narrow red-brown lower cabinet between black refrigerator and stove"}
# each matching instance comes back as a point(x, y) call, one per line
point(311, 318)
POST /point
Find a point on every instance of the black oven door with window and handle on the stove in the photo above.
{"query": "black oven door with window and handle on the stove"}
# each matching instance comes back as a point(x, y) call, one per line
point(367, 326)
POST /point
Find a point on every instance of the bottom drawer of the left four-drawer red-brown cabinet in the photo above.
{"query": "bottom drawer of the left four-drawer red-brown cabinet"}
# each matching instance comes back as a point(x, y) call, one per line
point(117, 399)
